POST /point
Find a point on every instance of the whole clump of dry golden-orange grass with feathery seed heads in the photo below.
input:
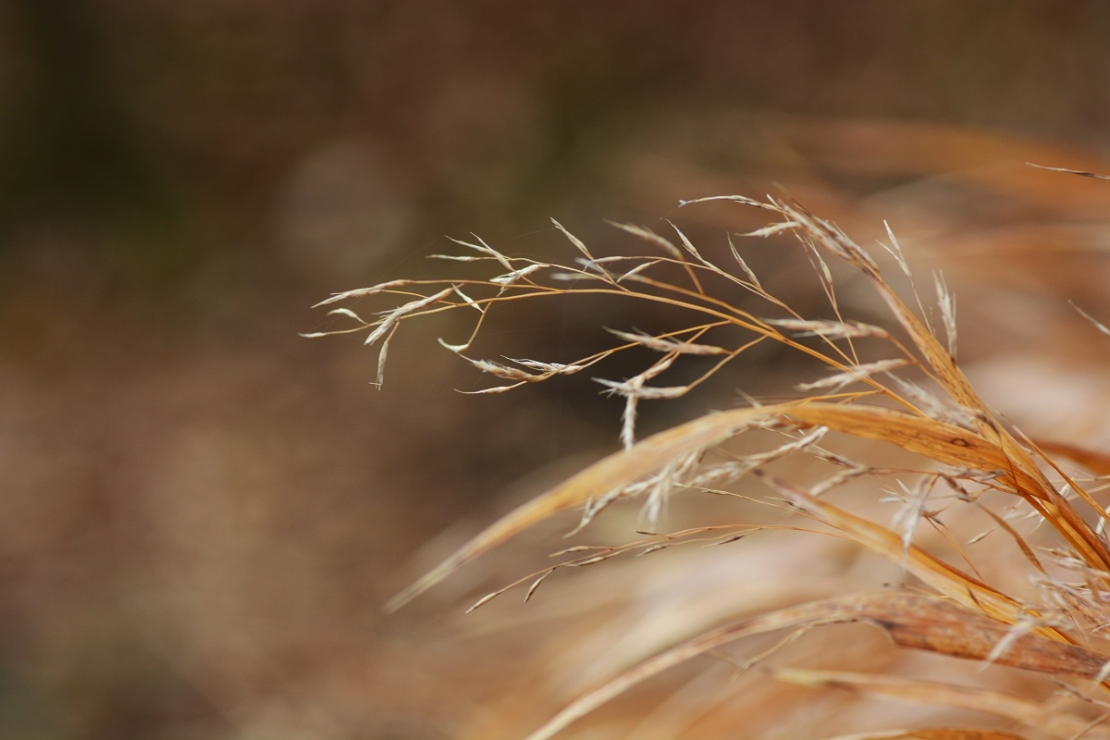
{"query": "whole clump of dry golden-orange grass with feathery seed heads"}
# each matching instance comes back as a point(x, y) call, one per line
point(1002, 549)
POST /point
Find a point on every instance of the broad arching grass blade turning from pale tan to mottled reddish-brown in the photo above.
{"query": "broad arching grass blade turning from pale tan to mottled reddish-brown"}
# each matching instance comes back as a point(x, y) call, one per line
point(911, 620)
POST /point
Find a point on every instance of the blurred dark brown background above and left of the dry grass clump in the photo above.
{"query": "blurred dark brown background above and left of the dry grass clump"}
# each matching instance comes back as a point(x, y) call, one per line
point(201, 513)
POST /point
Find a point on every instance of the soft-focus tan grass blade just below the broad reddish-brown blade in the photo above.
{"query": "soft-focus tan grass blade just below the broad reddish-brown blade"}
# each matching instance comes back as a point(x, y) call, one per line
point(1032, 714)
